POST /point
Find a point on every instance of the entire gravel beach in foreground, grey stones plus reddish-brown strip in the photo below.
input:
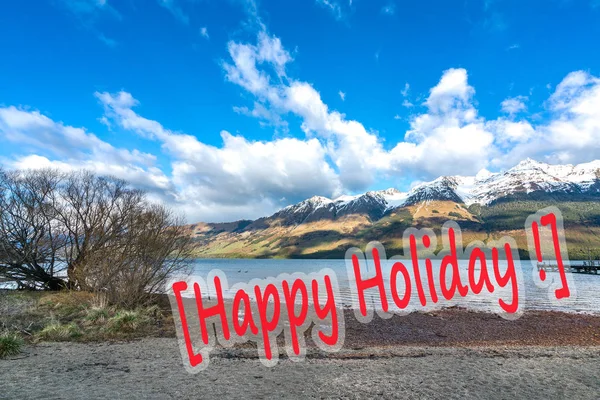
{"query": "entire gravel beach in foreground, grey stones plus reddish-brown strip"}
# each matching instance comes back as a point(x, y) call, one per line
point(442, 355)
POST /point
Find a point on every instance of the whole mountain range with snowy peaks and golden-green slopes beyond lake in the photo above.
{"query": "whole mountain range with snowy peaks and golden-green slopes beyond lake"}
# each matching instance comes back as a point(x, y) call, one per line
point(486, 206)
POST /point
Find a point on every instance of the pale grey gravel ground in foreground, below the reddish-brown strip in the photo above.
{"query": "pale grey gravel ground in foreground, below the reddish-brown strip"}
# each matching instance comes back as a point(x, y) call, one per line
point(152, 369)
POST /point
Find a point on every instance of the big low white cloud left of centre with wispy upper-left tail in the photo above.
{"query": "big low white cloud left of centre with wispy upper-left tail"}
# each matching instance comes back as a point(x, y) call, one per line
point(244, 178)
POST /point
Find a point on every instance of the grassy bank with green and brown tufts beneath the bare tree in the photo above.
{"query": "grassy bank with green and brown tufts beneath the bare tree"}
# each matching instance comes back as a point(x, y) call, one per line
point(31, 317)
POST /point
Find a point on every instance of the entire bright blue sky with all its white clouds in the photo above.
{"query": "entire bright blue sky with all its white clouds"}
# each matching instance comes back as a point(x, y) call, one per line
point(233, 109)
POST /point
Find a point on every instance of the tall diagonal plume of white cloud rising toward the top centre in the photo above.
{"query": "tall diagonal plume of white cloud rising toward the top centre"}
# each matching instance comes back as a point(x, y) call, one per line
point(260, 69)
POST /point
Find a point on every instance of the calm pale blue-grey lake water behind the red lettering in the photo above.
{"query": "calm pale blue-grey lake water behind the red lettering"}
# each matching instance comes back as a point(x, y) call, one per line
point(585, 289)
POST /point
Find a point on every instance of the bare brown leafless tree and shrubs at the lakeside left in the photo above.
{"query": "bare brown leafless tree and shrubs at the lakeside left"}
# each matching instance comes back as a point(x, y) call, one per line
point(105, 234)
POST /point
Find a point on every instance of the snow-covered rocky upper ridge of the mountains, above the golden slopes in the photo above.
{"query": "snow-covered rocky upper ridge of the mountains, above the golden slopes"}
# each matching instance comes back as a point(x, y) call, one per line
point(484, 188)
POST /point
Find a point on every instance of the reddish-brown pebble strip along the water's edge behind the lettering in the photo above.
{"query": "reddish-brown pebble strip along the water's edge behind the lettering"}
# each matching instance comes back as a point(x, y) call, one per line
point(452, 326)
